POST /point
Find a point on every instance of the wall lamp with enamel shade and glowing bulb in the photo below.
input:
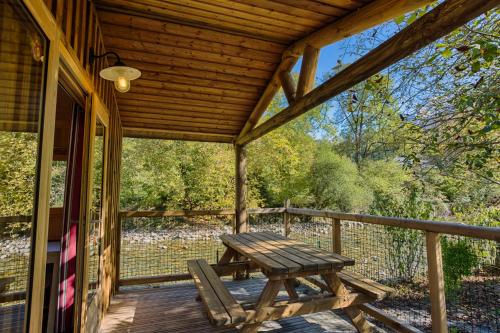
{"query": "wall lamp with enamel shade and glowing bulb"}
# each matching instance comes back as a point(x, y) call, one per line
point(119, 73)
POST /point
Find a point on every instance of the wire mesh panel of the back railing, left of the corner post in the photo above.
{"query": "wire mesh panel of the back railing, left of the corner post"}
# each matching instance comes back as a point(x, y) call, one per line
point(154, 246)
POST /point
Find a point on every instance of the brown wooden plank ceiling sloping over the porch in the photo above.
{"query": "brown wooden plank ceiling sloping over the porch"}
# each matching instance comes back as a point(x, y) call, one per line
point(204, 63)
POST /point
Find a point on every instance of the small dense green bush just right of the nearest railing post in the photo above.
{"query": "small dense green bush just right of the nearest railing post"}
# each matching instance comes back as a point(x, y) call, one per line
point(459, 260)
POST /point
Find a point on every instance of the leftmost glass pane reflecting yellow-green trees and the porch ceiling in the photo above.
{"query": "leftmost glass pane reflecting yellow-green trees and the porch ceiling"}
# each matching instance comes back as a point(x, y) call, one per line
point(23, 54)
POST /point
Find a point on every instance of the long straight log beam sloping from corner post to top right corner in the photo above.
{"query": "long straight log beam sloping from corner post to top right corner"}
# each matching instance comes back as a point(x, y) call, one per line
point(440, 21)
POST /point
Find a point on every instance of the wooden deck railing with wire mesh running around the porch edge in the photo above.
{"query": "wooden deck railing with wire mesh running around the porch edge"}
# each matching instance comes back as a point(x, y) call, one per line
point(404, 253)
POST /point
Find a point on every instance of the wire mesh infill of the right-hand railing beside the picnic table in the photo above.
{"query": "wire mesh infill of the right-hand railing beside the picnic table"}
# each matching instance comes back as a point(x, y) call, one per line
point(397, 257)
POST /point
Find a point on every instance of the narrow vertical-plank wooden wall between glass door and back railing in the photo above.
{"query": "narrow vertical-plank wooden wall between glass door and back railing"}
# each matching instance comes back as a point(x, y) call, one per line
point(81, 31)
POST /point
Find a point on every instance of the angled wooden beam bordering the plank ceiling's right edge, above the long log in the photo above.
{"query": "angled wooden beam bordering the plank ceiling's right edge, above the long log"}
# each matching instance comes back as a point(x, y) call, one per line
point(368, 16)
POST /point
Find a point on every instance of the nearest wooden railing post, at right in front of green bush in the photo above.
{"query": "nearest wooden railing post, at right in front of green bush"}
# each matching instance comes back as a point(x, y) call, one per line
point(436, 283)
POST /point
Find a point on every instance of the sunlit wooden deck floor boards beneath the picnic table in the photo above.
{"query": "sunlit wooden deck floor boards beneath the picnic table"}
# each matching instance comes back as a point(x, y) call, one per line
point(174, 309)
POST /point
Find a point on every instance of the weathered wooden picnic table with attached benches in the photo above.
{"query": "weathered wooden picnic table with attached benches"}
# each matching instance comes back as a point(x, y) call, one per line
point(283, 261)
